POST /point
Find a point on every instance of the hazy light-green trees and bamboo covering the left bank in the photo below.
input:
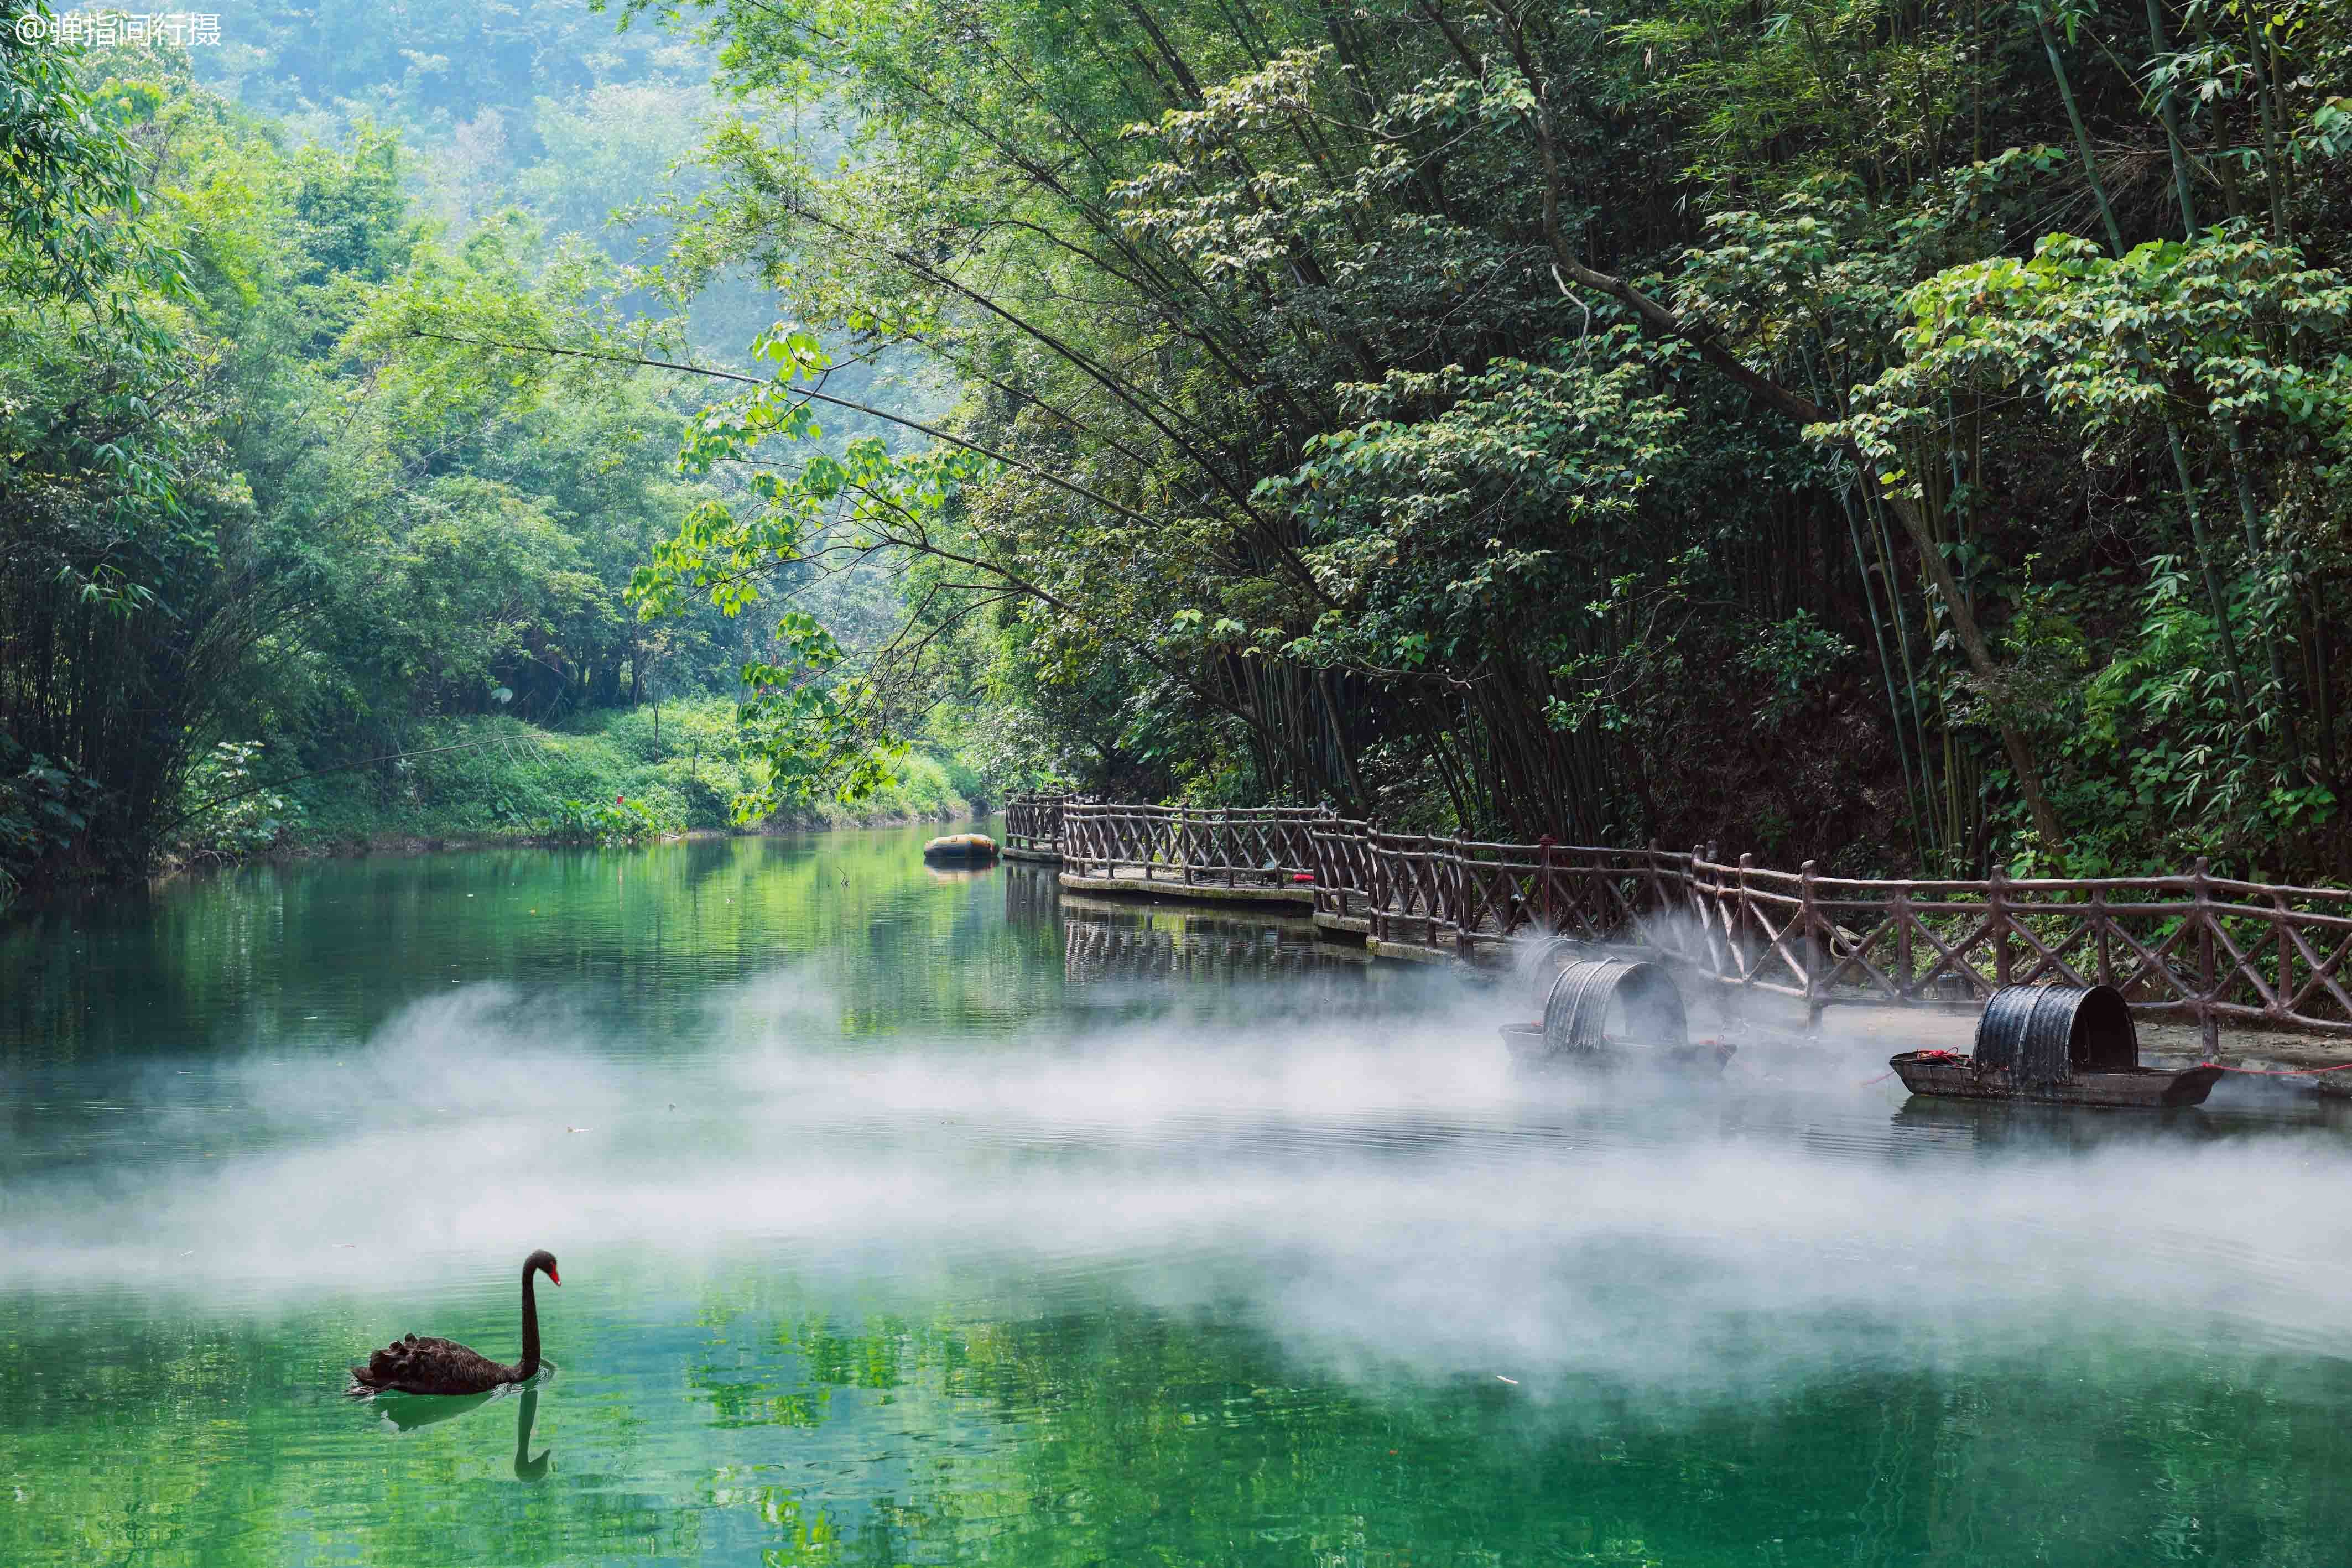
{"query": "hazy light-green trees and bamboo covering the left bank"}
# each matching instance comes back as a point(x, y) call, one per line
point(253, 530)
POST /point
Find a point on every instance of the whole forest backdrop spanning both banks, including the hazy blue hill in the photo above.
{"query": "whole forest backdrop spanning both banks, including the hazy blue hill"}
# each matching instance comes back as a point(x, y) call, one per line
point(1895, 434)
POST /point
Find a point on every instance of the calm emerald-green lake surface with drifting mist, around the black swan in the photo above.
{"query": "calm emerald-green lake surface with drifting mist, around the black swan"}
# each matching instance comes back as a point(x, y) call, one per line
point(935, 1219)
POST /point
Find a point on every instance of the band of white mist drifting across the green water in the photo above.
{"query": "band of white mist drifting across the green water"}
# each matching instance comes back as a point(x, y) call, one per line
point(1382, 1198)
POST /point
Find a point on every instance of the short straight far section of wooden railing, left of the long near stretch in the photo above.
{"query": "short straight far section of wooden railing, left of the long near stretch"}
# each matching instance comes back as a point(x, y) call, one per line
point(1241, 847)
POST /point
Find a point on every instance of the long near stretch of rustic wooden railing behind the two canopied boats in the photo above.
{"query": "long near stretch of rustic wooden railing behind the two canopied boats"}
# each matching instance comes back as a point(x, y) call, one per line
point(2200, 949)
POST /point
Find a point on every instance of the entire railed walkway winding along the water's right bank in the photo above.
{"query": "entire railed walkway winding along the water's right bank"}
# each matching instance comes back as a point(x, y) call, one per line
point(2191, 949)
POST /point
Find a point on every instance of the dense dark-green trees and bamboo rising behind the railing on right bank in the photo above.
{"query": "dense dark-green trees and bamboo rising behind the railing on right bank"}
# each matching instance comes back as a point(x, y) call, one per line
point(1662, 420)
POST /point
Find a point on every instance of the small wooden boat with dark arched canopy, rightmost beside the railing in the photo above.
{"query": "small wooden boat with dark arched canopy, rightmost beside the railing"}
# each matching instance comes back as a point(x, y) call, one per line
point(2054, 1045)
